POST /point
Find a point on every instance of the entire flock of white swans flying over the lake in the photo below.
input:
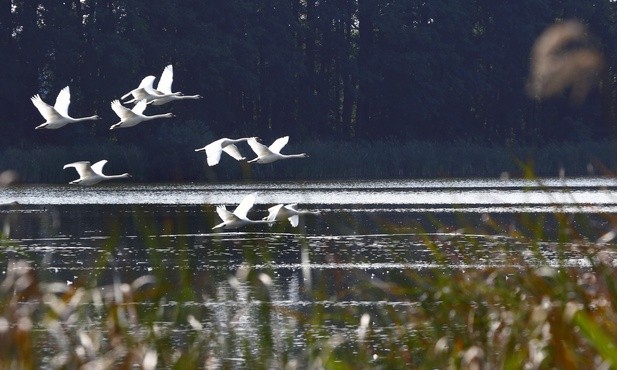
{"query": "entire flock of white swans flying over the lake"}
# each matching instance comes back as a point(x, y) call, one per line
point(145, 94)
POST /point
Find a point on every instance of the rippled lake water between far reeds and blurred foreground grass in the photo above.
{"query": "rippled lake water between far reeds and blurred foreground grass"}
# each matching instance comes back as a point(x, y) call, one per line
point(366, 231)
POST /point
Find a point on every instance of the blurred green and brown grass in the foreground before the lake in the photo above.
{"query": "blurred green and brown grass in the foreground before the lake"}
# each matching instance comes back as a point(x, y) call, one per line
point(551, 314)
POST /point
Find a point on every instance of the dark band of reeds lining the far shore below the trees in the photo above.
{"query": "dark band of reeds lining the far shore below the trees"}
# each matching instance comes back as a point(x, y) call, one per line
point(328, 160)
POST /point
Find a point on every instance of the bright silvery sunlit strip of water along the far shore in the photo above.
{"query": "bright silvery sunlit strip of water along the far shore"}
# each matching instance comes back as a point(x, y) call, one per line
point(435, 193)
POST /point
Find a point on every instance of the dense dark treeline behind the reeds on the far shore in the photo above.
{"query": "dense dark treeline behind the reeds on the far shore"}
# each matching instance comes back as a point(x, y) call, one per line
point(446, 71)
